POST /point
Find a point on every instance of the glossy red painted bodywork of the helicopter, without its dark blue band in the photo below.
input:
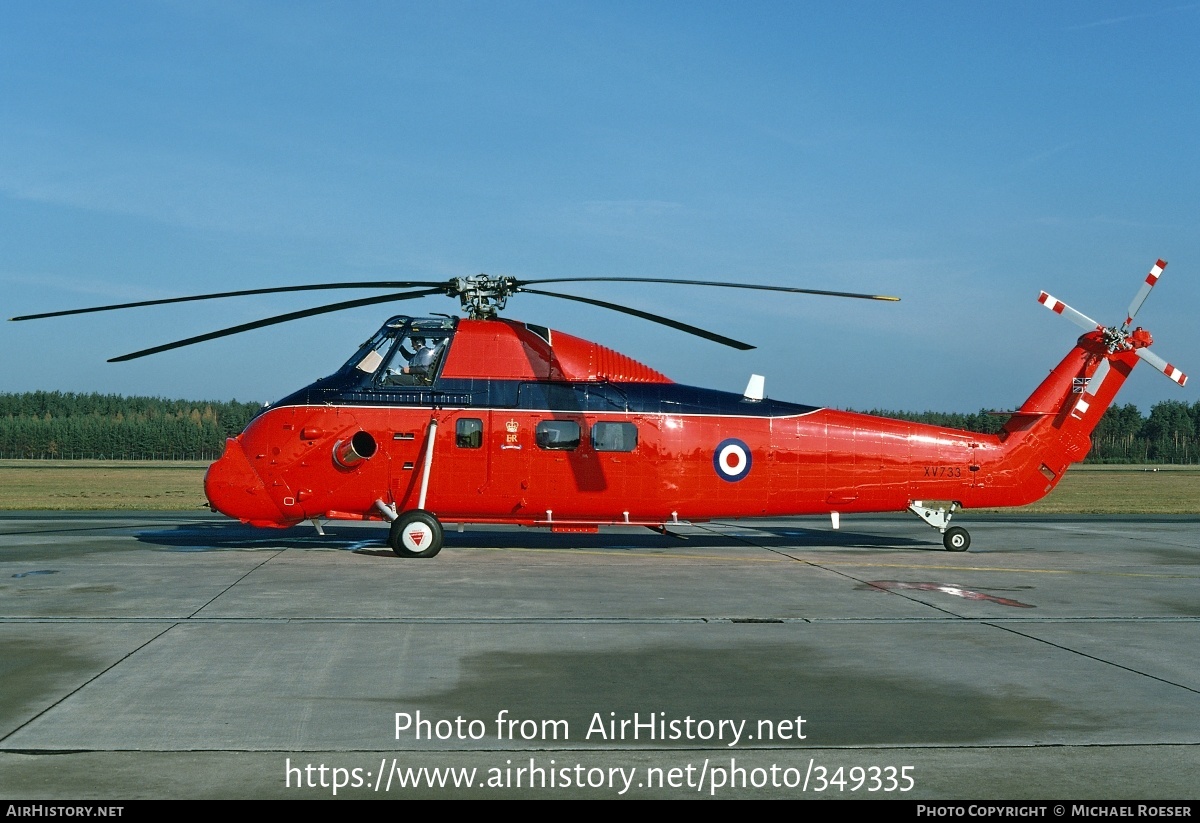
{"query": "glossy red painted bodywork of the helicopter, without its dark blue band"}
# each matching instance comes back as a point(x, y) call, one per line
point(688, 466)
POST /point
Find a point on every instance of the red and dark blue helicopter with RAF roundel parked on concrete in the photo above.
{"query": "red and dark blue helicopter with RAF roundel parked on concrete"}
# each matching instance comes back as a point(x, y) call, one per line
point(488, 420)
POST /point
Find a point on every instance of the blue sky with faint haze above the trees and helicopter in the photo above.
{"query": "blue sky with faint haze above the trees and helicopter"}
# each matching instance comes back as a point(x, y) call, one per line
point(961, 155)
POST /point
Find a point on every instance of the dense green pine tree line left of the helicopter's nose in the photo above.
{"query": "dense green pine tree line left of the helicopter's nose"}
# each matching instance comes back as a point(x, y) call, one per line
point(53, 425)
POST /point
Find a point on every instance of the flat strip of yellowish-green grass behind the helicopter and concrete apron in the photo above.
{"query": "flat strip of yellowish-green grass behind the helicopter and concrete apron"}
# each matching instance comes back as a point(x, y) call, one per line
point(104, 485)
